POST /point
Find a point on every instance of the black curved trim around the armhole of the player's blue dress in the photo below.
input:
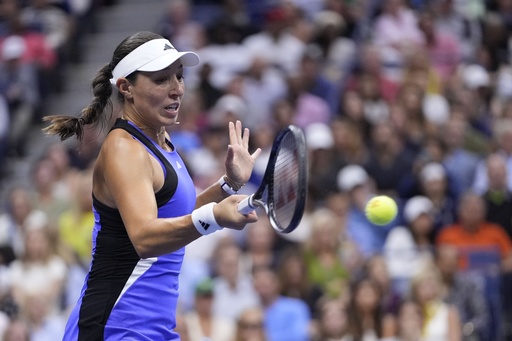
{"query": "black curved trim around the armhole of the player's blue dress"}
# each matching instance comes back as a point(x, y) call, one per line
point(171, 178)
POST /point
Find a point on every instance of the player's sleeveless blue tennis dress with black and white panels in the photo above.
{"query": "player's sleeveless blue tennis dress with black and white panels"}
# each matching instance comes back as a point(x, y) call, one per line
point(125, 297)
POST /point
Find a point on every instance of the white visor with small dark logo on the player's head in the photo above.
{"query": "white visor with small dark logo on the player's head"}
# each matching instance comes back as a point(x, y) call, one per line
point(153, 55)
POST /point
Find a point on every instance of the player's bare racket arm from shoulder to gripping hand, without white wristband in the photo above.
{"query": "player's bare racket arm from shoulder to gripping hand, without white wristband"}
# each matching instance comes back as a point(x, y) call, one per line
point(127, 177)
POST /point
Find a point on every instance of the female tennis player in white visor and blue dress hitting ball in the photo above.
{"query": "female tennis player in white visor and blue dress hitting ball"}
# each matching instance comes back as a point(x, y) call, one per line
point(144, 200)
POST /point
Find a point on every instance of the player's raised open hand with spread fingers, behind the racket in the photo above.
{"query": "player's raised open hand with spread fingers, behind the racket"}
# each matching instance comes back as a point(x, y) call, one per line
point(239, 162)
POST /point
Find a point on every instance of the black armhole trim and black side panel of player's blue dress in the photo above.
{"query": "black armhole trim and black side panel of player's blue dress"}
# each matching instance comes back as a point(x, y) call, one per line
point(115, 257)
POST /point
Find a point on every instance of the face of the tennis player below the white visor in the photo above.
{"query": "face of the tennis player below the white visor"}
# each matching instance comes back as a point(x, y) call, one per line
point(157, 95)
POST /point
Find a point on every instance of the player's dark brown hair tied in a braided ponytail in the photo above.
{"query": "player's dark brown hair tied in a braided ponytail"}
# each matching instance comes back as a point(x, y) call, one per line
point(67, 126)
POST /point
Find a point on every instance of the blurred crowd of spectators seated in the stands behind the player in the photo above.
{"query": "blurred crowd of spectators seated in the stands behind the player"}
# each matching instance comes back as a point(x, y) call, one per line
point(411, 99)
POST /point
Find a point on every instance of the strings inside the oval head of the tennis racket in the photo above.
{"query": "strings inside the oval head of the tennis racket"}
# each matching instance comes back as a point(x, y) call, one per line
point(285, 184)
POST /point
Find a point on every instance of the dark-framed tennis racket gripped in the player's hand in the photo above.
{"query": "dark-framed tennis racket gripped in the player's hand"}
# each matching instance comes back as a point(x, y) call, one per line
point(283, 189)
